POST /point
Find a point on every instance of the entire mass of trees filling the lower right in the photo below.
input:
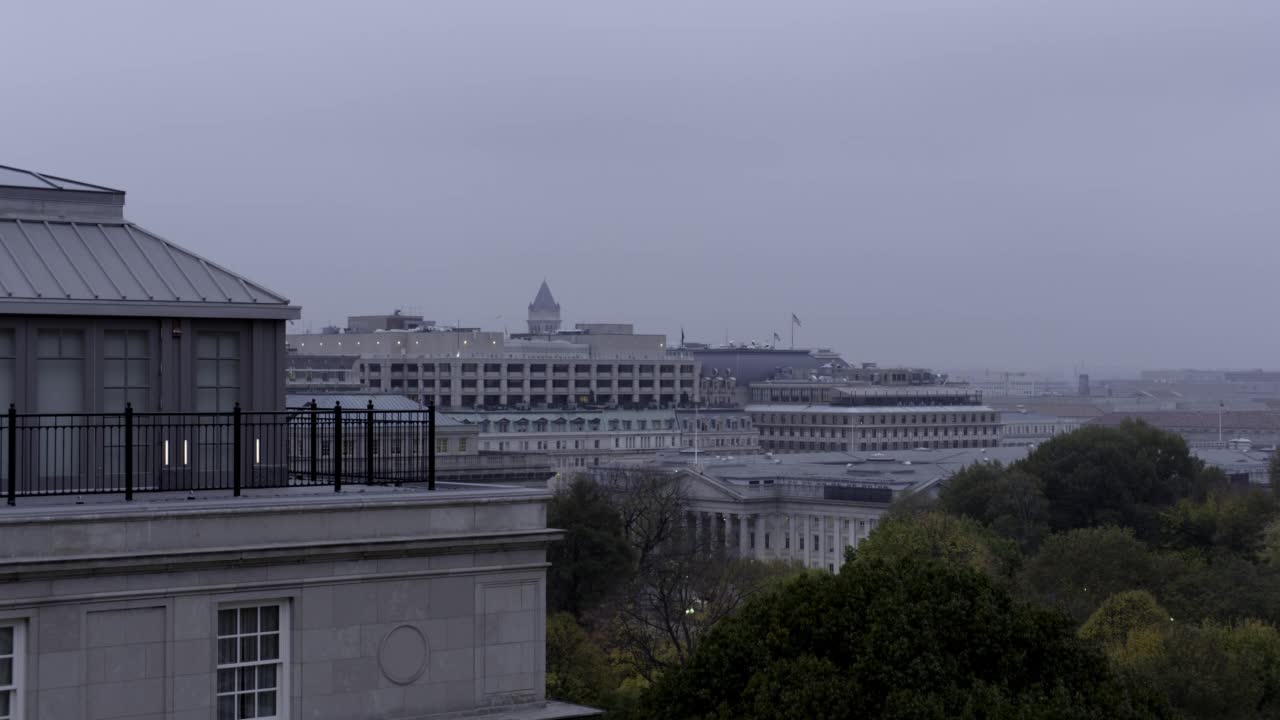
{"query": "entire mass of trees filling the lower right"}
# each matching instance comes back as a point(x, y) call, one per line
point(1108, 575)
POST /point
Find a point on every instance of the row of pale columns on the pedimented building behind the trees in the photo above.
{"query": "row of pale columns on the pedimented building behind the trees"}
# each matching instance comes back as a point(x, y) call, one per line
point(779, 536)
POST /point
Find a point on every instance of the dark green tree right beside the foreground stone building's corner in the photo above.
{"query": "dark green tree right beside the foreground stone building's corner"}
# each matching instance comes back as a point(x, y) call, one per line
point(595, 557)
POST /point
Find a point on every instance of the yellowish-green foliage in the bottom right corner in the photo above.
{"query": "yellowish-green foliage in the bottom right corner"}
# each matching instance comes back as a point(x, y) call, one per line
point(1208, 672)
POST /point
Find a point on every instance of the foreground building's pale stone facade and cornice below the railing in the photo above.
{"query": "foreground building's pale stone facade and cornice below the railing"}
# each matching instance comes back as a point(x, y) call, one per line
point(378, 604)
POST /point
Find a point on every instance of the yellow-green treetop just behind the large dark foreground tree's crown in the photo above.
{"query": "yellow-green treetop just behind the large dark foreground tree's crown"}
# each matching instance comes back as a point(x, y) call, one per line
point(943, 537)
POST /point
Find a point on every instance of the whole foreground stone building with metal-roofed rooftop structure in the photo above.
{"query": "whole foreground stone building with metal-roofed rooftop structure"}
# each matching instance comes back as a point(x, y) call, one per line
point(125, 600)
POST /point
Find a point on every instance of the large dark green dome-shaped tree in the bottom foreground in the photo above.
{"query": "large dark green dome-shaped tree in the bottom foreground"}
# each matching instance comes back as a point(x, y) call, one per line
point(918, 637)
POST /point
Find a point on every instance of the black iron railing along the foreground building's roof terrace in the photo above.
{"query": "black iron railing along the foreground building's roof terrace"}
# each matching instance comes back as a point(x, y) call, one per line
point(130, 453)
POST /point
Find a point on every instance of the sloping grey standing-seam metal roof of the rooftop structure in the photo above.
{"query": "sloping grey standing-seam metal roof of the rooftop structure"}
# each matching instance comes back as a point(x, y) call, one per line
point(63, 267)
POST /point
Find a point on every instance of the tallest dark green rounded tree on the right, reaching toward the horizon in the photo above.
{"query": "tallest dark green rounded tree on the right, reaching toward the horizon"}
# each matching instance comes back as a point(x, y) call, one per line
point(1121, 476)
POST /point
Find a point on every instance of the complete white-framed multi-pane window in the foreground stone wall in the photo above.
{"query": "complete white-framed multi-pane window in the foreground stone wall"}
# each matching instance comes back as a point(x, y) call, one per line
point(252, 668)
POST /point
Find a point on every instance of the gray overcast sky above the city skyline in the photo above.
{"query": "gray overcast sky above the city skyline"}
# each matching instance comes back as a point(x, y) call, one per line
point(950, 184)
